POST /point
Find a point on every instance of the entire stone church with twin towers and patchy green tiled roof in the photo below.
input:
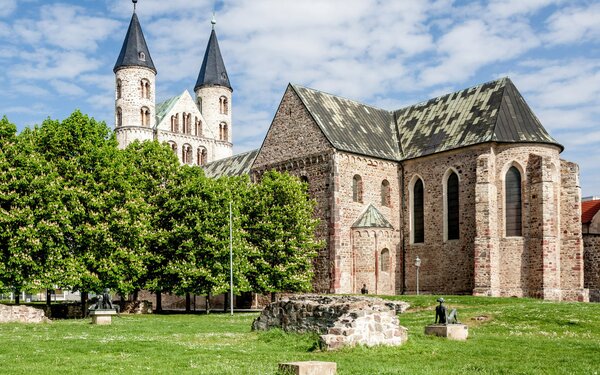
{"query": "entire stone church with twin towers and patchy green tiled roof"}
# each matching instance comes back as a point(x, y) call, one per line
point(470, 183)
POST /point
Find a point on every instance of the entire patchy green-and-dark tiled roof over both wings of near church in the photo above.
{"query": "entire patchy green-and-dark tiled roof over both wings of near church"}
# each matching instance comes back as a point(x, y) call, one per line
point(493, 111)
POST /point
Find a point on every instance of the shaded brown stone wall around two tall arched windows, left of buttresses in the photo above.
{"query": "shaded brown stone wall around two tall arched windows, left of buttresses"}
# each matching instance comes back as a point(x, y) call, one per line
point(446, 266)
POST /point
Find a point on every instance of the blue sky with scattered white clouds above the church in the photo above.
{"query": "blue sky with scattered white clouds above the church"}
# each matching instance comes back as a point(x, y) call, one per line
point(58, 56)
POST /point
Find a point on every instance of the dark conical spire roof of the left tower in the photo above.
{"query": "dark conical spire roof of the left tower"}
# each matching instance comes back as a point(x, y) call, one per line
point(134, 51)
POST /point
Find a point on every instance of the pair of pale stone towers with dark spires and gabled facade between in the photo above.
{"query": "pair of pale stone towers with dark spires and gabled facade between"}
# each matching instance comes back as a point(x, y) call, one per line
point(197, 129)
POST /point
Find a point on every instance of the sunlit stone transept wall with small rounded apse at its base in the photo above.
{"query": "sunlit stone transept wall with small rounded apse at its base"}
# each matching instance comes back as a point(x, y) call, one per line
point(359, 251)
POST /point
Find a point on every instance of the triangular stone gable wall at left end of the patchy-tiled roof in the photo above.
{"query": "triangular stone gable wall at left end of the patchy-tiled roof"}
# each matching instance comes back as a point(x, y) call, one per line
point(293, 133)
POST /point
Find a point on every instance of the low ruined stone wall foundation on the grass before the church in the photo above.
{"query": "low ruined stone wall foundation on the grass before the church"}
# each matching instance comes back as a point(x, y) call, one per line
point(340, 320)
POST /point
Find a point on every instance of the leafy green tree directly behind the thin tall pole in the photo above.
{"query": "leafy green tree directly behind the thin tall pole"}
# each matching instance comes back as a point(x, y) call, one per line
point(194, 214)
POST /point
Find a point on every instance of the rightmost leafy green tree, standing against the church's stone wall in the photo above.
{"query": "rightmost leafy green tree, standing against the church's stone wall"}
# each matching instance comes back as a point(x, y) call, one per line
point(281, 226)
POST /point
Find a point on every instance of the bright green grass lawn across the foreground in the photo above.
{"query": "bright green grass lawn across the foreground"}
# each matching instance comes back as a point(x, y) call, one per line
point(520, 336)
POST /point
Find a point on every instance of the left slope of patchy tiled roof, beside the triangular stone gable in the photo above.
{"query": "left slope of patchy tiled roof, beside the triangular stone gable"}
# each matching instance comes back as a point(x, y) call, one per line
point(350, 125)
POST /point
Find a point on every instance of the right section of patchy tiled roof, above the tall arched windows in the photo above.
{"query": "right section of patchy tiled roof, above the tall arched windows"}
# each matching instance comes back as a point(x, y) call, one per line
point(493, 111)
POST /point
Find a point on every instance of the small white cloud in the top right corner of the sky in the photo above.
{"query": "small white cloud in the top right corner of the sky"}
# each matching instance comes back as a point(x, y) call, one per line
point(574, 25)
